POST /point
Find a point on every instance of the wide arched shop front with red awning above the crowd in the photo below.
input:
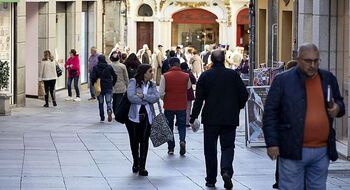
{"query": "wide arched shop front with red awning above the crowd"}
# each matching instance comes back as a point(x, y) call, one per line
point(194, 27)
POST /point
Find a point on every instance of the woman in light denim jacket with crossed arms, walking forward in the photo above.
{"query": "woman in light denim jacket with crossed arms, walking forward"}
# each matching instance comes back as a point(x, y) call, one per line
point(142, 94)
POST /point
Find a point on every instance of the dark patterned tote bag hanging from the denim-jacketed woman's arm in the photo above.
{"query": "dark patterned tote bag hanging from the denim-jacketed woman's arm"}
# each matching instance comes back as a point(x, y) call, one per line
point(160, 130)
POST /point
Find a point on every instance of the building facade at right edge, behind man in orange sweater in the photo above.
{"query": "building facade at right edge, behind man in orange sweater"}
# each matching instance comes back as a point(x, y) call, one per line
point(326, 23)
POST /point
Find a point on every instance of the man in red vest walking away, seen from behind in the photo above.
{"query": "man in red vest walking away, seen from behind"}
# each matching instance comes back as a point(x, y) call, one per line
point(173, 90)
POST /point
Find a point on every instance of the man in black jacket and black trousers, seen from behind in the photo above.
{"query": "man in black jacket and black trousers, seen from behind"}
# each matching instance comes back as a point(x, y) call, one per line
point(225, 95)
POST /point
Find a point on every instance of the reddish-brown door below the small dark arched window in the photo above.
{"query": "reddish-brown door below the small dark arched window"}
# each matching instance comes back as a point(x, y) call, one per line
point(144, 34)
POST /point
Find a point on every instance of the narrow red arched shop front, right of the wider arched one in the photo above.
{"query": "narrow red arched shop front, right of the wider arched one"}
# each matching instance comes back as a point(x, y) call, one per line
point(242, 39)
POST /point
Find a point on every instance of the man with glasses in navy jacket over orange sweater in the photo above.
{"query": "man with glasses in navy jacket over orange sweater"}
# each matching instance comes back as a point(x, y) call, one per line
point(297, 122)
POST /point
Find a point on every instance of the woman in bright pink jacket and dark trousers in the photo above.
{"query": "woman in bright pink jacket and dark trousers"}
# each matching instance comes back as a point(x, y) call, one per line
point(73, 68)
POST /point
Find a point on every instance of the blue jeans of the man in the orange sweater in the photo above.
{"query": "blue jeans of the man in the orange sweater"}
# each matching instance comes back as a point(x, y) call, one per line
point(313, 168)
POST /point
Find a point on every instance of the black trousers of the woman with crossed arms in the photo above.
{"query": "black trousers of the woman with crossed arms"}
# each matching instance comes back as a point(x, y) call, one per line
point(139, 137)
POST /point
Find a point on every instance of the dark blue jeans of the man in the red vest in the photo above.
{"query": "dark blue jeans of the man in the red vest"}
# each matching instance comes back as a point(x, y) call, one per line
point(181, 125)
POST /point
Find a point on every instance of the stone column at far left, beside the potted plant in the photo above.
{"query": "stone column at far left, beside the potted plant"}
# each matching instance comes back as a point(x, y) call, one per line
point(20, 47)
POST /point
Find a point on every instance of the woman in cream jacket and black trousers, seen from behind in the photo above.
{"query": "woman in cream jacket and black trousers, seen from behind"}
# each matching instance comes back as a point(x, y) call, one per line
point(47, 73)
